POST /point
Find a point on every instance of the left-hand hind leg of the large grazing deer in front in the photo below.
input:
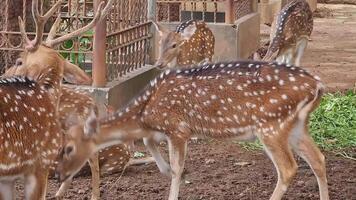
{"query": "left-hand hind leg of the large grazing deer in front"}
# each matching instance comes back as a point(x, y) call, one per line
point(284, 162)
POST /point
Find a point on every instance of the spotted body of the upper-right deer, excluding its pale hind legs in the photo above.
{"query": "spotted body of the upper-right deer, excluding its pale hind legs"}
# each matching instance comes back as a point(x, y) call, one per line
point(294, 20)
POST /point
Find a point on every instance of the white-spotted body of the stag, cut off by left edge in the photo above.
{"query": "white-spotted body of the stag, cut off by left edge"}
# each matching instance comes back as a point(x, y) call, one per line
point(27, 118)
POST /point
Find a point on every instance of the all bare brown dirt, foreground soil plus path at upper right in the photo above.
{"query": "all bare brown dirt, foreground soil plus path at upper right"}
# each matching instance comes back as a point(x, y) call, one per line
point(217, 170)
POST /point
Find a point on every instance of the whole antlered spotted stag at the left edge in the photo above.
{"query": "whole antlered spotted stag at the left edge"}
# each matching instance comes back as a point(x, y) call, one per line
point(32, 139)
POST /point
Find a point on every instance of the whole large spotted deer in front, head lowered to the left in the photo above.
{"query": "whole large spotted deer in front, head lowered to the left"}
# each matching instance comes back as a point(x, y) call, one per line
point(244, 100)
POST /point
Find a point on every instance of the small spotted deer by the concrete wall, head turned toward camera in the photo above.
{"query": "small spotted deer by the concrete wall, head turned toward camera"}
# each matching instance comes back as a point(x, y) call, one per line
point(191, 43)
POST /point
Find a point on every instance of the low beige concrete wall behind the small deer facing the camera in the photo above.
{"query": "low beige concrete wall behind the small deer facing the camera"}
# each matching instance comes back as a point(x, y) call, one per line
point(232, 42)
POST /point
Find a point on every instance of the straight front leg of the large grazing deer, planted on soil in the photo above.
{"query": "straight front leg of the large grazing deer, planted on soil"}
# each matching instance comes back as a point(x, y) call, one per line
point(177, 153)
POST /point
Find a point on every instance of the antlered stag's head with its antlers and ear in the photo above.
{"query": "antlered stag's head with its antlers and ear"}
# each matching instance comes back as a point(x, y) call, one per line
point(40, 61)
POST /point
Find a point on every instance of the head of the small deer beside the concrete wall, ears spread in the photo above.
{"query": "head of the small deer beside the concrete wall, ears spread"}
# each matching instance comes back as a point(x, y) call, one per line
point(170, 44)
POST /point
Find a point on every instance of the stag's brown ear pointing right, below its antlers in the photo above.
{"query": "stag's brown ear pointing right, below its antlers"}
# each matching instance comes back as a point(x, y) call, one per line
point(73, 74)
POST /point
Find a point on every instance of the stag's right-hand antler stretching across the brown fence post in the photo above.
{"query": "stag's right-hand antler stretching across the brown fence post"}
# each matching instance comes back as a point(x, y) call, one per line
point(99, 15)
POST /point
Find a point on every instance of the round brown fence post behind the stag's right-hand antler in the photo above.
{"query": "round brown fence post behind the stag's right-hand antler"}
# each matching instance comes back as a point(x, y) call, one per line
point(99, 52)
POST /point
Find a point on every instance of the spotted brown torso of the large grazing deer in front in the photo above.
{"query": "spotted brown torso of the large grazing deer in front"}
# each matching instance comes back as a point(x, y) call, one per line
point(226, 99)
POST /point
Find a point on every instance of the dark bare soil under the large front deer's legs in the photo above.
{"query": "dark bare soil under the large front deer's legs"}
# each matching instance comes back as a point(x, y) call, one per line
point(221, 170)
